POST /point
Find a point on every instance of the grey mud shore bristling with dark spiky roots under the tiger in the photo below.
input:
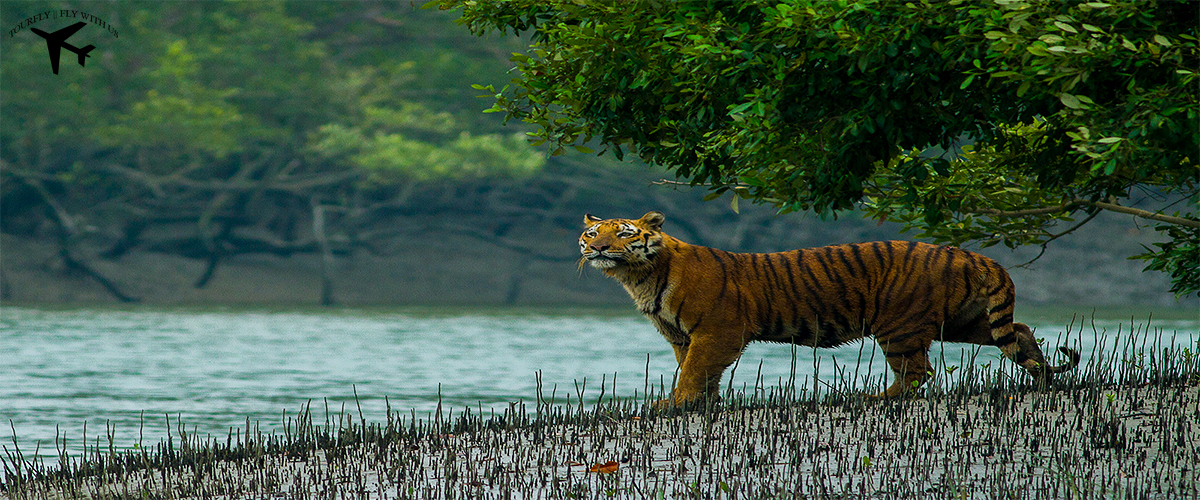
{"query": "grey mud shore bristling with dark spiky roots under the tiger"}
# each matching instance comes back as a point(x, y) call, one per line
point(1119, 426)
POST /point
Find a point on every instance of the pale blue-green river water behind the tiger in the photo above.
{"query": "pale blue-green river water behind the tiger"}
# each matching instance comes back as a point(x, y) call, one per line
point(128, 374)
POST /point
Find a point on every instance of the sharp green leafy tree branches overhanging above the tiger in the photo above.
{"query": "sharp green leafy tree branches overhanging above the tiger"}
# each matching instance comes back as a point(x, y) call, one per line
point(1071, 109)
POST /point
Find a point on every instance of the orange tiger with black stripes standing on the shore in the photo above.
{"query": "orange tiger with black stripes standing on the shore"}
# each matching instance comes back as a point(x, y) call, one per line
point(711, 304)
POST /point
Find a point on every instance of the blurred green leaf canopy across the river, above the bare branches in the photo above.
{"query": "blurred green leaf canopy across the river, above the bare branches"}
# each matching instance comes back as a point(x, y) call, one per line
point(202, 88)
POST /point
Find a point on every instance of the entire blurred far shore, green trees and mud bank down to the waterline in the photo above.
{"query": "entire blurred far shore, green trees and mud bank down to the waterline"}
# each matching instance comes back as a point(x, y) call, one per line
point(337, 154)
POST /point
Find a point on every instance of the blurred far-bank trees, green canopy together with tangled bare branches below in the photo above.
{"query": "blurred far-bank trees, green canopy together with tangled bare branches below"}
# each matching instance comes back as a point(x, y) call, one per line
point(218, 129)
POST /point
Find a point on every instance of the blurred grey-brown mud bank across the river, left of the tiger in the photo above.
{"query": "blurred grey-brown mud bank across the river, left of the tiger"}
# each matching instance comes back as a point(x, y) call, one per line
point(418, 275)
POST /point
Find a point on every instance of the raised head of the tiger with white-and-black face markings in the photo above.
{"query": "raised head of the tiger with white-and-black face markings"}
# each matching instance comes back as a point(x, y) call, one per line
point(616, 243)
